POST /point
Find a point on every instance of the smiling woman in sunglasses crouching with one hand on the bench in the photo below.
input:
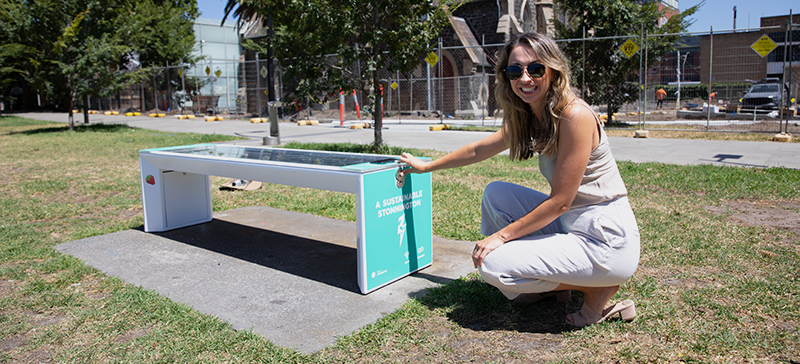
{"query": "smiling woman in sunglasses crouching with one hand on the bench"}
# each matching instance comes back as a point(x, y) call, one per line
point(583, 236)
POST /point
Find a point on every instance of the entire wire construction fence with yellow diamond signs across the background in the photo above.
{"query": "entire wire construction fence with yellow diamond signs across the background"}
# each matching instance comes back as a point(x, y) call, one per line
point(702, 82)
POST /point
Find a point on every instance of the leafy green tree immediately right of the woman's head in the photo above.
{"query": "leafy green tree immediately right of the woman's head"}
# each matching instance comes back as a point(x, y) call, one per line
point(609, 77)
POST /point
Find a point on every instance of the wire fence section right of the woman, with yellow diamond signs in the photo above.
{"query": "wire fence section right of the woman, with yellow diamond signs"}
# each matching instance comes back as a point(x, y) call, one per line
point(715, 81)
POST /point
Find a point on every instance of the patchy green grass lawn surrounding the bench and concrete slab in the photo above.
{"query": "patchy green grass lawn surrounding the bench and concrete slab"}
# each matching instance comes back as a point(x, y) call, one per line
point(714, 283)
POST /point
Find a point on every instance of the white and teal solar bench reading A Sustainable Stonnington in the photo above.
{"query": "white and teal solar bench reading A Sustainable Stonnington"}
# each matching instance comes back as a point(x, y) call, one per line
point(393, 212)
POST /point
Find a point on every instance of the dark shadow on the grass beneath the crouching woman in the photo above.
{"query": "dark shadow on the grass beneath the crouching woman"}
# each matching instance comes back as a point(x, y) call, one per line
point(478, 306)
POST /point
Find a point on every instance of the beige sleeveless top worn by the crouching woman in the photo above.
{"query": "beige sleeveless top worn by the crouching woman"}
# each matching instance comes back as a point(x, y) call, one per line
point(601, 181)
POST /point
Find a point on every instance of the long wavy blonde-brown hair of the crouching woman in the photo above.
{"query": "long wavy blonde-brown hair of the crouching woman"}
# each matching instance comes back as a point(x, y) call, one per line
point(525, 133)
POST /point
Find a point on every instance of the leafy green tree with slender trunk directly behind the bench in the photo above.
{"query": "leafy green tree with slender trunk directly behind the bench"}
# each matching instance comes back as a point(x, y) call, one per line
point(320, 41)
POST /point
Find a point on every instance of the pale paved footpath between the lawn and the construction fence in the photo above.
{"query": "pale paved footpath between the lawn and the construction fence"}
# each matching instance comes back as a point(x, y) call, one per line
point(416, 134)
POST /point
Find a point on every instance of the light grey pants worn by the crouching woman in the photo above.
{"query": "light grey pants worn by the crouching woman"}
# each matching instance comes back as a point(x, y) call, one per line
point(592, 246)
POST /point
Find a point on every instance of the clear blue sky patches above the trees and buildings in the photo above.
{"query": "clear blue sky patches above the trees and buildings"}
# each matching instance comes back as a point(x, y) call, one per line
point(713, 13)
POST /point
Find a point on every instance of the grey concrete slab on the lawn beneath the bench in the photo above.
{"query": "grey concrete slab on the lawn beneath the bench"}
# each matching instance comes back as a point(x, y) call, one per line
point(288, 276)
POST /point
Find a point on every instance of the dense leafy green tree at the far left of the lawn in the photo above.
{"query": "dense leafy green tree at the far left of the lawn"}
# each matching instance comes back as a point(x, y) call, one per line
point(67, 50)
